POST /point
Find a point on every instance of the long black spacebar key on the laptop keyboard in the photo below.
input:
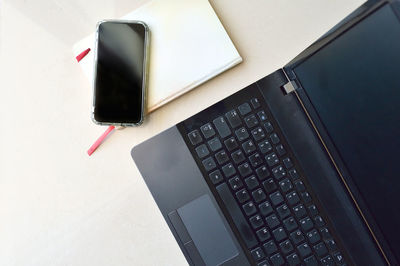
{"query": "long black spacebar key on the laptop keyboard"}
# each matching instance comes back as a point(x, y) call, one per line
point(237, 216)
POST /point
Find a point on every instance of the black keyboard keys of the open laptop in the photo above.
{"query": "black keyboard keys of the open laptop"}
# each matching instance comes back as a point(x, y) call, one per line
point(245, 158)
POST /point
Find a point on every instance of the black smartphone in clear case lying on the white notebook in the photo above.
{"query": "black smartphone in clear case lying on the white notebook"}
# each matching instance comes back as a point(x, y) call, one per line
point(120, 72)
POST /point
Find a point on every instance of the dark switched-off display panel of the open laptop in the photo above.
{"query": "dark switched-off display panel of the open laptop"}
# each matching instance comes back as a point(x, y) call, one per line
point(354, 85)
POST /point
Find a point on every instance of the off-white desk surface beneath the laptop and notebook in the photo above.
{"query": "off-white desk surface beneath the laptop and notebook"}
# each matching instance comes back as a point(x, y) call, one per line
point(57, 205)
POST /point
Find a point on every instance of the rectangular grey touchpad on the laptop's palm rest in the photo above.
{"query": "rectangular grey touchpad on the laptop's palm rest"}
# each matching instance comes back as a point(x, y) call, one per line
point(207, 230)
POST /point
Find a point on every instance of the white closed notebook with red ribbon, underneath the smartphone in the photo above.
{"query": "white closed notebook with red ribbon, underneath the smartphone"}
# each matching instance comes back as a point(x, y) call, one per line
point(188, 46)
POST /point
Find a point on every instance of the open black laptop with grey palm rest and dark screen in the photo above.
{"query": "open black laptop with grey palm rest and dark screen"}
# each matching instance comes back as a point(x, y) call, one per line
point(299, 168)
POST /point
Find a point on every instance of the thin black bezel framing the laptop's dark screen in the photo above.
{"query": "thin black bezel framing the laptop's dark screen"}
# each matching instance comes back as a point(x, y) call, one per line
point(354, 18)
